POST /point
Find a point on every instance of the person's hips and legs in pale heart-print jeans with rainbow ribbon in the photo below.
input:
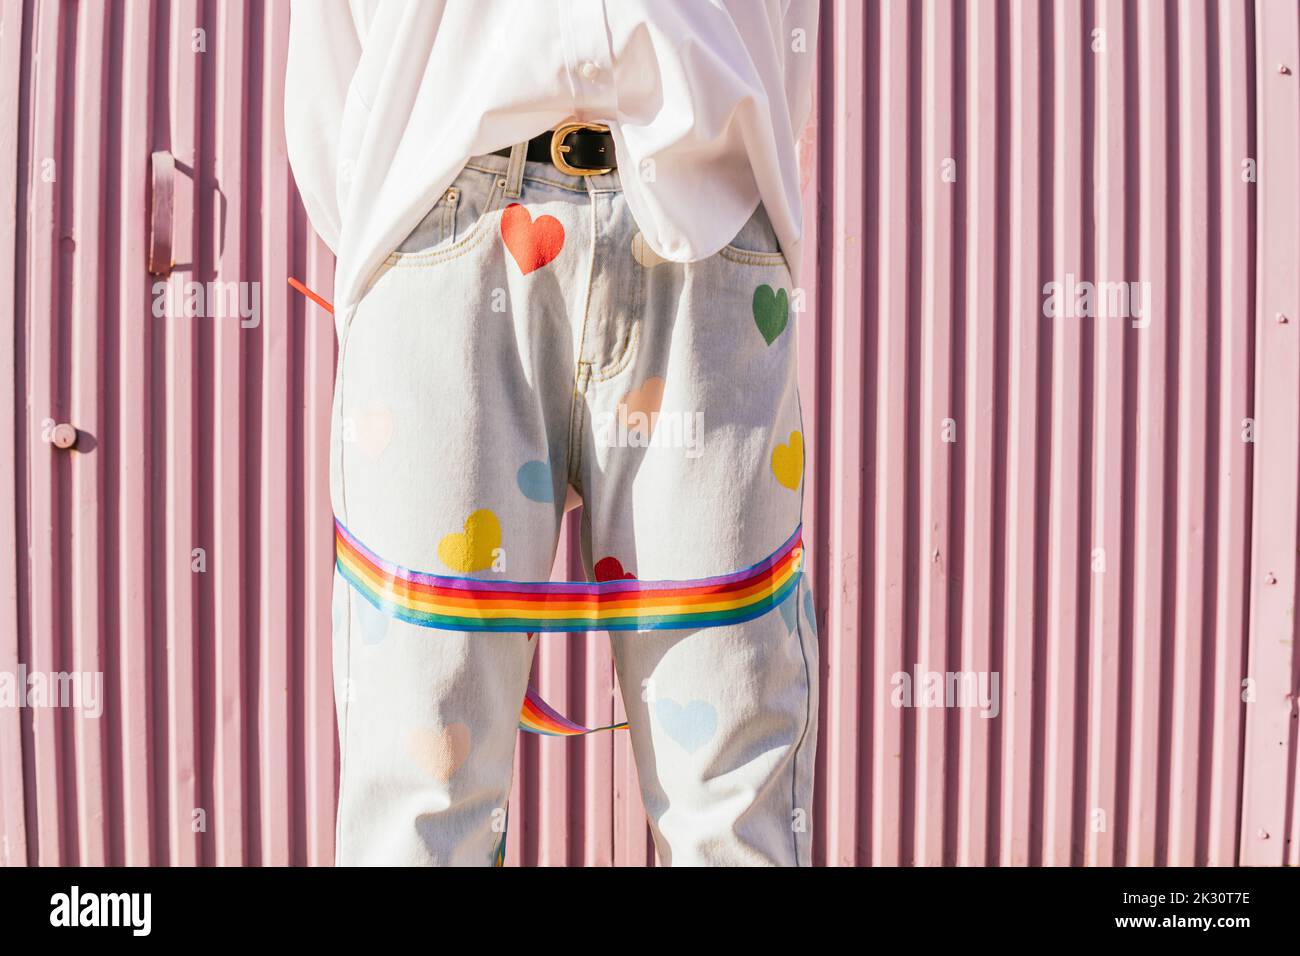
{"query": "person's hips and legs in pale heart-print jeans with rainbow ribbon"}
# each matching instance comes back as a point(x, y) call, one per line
point(522, 341)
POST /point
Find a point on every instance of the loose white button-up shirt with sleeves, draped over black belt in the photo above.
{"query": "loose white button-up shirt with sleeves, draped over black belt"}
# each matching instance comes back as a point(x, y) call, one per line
point(387, 100)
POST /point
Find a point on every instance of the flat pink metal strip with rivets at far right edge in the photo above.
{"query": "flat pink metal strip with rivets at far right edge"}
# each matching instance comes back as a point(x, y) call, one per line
point(1271, 798)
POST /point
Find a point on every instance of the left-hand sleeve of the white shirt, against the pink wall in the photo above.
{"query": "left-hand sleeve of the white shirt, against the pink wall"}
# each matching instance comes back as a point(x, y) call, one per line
point(324, 51)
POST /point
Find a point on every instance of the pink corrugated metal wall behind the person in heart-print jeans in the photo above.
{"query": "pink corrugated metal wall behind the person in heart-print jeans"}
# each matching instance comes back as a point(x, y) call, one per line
point(1104, 514)
